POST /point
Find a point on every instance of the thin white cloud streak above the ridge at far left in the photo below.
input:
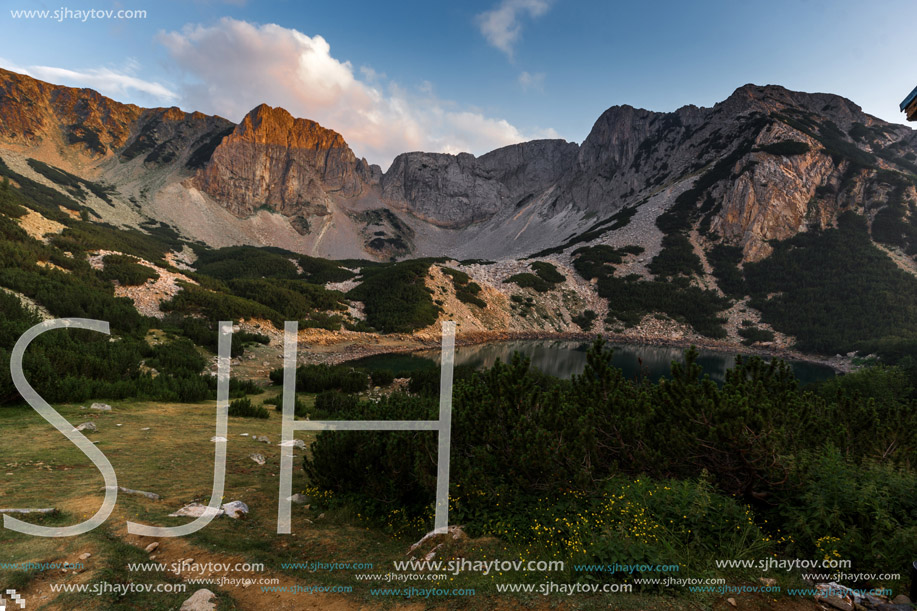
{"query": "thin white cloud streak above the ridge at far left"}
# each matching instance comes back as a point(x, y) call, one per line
point(119, 84)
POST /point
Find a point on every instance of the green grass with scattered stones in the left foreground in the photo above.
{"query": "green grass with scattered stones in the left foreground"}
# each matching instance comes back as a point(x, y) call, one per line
point(180, 469)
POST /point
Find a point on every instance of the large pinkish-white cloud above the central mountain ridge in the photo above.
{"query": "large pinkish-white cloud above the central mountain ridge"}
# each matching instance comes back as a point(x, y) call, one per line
point(232, 66)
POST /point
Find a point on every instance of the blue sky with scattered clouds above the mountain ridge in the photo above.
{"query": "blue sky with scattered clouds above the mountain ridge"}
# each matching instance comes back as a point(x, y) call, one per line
point(395, 76)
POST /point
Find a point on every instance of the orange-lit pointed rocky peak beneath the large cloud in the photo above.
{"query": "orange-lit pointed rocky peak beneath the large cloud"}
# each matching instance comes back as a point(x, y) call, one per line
point(292, 166)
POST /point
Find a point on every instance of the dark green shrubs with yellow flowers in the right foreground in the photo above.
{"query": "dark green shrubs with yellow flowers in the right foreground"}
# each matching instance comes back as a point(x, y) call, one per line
point(706, 454)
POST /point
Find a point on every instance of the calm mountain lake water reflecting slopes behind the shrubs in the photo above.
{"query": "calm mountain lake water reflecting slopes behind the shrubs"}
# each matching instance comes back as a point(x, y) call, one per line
point(564, 358)
